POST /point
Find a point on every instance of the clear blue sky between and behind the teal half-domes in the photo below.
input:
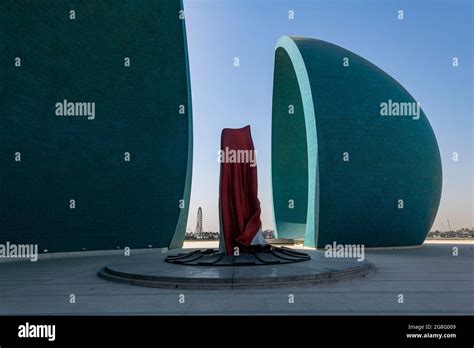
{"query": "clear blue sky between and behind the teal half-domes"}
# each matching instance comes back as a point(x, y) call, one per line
point(417, 51)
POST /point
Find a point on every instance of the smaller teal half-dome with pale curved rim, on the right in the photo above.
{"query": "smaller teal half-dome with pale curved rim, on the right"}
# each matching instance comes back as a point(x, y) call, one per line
point(343, 170)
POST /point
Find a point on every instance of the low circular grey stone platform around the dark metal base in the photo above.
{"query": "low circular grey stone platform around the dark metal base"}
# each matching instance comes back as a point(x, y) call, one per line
point(151, 270)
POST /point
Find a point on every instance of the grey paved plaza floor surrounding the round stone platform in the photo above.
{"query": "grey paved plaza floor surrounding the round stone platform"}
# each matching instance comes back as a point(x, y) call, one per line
point(431, 279)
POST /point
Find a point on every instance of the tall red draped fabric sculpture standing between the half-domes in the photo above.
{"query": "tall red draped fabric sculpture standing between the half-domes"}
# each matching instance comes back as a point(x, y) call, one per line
point(238, 201)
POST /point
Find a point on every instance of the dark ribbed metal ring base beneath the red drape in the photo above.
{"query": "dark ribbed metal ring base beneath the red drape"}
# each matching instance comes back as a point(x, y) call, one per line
point(212, 257)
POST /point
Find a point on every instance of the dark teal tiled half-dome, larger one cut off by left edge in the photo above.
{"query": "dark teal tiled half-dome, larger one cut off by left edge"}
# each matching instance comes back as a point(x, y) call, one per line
point(119, 179)
